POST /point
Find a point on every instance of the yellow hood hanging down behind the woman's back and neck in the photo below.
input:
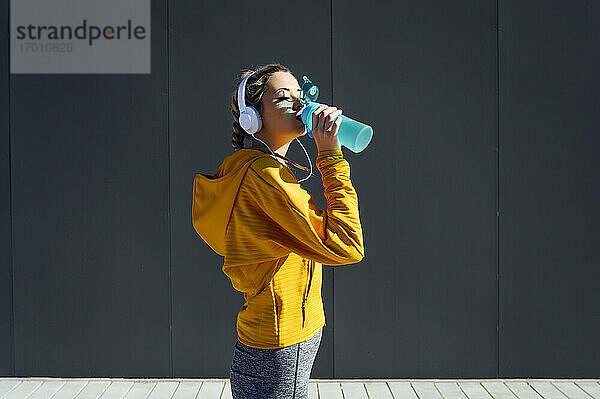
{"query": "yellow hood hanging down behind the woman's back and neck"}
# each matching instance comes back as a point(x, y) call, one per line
point(214, 197)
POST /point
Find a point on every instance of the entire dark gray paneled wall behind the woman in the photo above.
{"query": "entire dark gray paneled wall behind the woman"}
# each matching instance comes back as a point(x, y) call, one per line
point(478, 193)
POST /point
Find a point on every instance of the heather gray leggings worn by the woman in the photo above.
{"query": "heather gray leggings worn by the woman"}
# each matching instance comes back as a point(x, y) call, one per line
point(281, 373)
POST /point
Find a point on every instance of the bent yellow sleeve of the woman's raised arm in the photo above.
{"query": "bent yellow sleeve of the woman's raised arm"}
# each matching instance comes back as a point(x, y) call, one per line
point(291, 219)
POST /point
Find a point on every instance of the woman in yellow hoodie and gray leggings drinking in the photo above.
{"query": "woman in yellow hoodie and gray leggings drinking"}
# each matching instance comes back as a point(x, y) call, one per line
point(274, 238)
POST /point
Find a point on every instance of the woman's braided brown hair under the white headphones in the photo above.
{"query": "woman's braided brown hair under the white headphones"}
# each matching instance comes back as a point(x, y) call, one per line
point(255, 88)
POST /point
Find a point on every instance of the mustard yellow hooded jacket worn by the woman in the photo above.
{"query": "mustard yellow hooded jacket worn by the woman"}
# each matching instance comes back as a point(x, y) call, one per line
point(274, 240)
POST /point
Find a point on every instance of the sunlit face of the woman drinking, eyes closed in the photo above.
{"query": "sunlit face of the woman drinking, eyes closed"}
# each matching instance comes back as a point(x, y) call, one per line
point(281, 103)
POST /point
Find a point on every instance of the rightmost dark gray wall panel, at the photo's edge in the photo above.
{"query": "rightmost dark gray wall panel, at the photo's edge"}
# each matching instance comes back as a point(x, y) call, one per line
point(549, 302)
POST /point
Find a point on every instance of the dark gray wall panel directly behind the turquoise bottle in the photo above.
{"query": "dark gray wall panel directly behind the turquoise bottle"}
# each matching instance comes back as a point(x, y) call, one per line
point(423, 302)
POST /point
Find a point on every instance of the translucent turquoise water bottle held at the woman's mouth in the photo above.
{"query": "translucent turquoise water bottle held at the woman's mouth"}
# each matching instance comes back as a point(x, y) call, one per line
point(352, 134)
